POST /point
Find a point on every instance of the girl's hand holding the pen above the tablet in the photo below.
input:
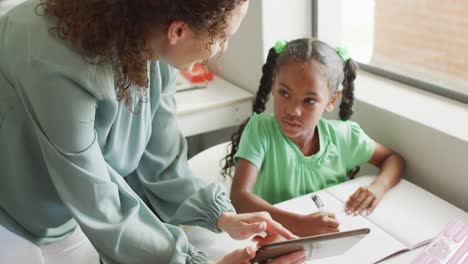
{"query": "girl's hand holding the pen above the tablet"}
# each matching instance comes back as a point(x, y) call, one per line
point(317, 224)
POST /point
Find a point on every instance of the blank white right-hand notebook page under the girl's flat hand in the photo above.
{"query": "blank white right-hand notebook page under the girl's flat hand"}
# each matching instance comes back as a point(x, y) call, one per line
point(408, 213)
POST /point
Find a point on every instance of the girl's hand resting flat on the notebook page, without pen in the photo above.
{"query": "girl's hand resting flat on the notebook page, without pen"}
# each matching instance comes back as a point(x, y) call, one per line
point(364, 200)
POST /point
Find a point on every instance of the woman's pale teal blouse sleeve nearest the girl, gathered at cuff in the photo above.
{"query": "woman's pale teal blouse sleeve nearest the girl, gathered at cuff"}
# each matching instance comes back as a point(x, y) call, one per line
point(178, 196)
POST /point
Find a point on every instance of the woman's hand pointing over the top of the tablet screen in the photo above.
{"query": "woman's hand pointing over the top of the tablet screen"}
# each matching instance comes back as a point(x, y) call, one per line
point(243, 226)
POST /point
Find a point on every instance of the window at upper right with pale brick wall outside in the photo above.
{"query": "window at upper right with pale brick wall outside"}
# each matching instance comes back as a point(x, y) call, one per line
point(423, 43)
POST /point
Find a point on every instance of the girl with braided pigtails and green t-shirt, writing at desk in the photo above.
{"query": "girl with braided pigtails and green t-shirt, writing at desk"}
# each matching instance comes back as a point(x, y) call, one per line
point(295, 151)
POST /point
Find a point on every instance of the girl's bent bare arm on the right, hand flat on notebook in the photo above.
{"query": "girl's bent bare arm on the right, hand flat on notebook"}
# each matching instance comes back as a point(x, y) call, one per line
point(391, 165)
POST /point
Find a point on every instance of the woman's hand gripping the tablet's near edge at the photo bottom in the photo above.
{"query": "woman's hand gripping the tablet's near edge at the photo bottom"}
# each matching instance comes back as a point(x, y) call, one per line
point(245, 255)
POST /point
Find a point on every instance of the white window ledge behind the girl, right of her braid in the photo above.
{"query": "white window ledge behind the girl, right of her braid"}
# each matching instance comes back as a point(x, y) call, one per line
point(434, 111)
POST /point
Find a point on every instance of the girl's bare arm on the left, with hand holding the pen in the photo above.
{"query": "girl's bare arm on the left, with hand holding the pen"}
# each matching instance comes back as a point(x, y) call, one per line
point(245, 201)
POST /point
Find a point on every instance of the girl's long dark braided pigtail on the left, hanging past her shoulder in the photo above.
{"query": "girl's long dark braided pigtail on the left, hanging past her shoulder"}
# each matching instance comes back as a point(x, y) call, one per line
point(262, 97)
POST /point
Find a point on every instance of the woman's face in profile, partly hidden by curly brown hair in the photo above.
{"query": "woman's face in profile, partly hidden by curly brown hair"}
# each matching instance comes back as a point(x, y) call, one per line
point(184, 47)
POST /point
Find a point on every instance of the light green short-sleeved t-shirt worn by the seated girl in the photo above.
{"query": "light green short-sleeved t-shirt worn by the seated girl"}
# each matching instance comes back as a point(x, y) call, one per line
point(285, 173)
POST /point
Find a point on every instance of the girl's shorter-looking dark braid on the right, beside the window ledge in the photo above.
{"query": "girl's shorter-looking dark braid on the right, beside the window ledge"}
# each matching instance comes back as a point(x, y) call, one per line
point(346, 106)
